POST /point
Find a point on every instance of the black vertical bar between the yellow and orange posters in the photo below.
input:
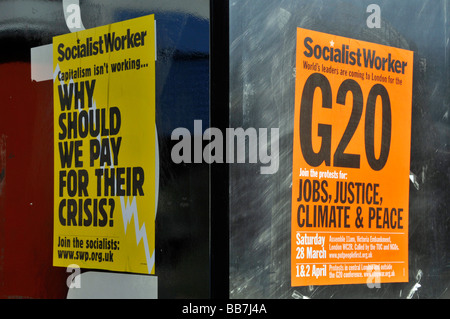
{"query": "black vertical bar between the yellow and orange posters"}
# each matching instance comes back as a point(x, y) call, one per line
point(219, 118)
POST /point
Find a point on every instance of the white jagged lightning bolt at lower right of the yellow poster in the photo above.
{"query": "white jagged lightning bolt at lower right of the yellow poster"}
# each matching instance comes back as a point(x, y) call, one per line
point(129, 211)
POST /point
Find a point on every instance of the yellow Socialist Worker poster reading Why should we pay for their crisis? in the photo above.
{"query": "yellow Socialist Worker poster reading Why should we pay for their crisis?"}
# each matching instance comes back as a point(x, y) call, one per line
point(104, 147)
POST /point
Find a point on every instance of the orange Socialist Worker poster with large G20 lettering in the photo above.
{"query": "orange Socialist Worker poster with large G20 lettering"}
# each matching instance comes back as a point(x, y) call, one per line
point(351, 158)
